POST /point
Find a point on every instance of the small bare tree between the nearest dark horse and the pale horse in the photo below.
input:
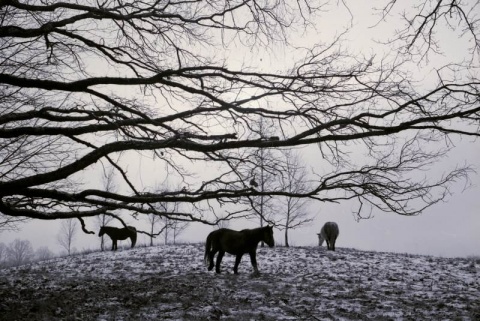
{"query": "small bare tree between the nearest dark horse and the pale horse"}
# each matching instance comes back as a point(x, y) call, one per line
point(294, 180)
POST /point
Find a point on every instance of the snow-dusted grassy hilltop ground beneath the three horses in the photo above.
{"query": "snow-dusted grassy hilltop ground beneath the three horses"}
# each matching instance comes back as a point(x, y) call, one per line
point(301, 283)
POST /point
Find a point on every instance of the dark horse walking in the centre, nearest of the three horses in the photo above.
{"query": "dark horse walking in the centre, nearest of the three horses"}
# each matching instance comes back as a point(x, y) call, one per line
point(236, 243)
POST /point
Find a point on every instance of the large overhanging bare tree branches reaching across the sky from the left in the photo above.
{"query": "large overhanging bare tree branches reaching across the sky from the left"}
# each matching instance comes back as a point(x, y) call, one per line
point(165, 96)
